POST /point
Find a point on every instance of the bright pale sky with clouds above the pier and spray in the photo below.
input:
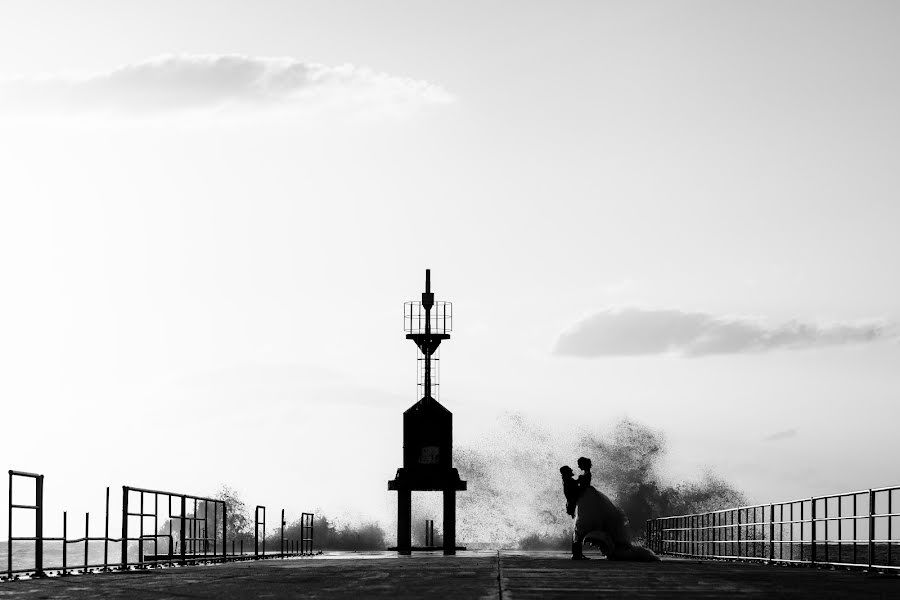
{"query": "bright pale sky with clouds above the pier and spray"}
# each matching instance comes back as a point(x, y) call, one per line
point(211, 213)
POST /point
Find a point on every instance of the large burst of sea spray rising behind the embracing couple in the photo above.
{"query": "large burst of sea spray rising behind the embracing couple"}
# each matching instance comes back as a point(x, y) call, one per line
point(515, 493)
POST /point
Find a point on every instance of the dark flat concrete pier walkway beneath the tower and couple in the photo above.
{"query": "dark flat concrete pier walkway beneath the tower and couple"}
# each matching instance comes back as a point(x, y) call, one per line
point(507, 575)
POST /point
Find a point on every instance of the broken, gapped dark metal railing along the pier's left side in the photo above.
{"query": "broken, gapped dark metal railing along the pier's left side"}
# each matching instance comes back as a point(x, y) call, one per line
point(193, 530)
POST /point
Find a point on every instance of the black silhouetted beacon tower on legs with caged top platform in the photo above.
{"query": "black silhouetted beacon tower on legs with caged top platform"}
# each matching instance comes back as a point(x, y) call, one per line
point(427, 425)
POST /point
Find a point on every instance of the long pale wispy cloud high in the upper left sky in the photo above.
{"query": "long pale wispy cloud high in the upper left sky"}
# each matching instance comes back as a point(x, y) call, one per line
point(230, 83)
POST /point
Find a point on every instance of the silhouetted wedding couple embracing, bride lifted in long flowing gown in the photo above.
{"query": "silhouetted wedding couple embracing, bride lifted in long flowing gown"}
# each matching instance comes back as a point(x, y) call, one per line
point(597, 520)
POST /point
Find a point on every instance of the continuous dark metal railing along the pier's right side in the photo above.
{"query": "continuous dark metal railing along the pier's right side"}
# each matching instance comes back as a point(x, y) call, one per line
point(852, 529)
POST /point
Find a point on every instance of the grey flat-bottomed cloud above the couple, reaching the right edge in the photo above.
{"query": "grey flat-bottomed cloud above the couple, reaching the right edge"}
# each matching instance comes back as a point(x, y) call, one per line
point(637, 331)
